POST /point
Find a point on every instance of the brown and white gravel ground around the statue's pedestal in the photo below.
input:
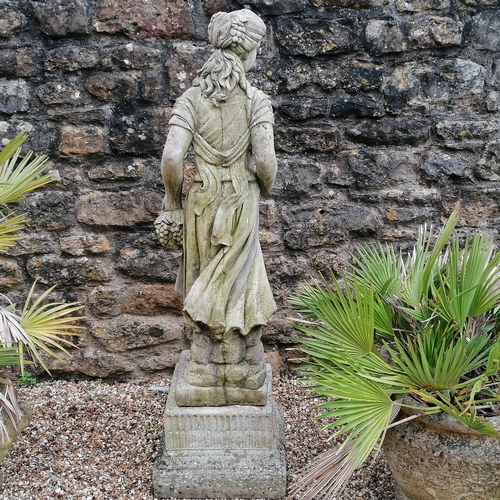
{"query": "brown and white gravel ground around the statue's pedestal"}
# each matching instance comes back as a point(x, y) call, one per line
point(97, 441)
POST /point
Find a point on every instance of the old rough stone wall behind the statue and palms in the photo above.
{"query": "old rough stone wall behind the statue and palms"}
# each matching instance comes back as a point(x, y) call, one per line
point(387, 116)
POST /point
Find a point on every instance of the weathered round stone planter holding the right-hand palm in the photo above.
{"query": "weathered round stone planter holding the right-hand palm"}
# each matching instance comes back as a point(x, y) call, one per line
point(435, 457)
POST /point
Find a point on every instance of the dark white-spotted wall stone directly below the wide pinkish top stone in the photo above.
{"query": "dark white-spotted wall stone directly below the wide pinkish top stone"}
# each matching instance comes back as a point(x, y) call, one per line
point(132, 55)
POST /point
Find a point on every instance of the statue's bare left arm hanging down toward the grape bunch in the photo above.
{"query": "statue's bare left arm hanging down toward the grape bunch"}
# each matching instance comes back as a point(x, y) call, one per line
point(172, 166)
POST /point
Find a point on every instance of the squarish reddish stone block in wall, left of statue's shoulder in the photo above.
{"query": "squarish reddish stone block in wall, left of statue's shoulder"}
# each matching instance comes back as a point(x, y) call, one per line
point(82, 141)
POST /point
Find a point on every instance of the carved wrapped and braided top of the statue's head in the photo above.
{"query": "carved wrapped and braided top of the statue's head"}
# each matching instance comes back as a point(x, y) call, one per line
point(240, 31)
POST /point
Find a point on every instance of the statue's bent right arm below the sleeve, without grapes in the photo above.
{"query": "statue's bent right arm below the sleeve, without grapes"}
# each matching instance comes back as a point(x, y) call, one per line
point(265, 157)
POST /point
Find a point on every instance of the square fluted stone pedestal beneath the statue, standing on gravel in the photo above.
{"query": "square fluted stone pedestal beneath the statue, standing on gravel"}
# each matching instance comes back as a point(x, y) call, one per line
point(221, 452)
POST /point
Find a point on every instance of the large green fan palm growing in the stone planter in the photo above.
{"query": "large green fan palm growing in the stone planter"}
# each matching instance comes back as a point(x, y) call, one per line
point(420, 332)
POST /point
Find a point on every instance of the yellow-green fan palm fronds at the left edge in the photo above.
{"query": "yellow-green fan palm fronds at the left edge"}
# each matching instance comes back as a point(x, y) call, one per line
point(38, 327)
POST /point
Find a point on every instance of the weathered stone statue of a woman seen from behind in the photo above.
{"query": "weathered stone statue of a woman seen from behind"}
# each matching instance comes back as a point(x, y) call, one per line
point(227, 297)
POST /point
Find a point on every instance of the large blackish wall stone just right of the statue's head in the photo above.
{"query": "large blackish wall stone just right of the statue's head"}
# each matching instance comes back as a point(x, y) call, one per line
point(311, 37)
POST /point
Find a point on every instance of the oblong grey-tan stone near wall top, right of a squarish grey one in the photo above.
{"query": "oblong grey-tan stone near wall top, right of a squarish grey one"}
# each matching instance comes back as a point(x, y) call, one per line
point(433, 31)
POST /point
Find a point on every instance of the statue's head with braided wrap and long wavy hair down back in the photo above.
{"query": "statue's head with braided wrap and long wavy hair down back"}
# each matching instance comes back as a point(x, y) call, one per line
point(233, 35)
